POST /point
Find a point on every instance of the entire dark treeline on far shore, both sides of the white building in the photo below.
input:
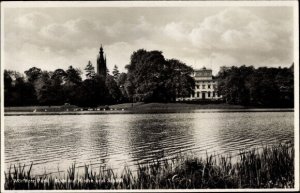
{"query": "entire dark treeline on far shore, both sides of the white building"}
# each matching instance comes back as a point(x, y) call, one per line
point(150, 78)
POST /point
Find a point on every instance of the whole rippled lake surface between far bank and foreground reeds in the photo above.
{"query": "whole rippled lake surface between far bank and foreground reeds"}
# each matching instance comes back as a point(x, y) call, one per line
point(57, 141)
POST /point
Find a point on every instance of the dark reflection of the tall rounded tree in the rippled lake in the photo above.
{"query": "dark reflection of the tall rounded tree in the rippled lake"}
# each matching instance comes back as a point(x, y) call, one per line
point(153, 138)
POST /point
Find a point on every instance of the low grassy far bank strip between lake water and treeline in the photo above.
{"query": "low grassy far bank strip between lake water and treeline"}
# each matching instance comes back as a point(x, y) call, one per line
point(128, 108)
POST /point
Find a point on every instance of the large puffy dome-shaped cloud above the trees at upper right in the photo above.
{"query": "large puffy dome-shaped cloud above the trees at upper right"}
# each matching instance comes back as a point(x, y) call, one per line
point(233, 29)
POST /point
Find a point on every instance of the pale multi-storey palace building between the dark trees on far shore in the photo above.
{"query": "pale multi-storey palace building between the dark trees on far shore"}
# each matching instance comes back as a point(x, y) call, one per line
point(205, 86)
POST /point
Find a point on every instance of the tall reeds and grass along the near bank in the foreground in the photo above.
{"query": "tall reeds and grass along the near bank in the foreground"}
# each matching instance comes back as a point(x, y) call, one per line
point(272, 167)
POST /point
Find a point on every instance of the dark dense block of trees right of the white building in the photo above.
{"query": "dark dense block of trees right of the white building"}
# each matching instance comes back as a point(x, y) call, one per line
point(267, 87)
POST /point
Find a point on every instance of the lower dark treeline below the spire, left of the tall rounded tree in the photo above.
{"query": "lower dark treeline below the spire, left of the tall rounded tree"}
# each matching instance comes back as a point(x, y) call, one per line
point(39, 87)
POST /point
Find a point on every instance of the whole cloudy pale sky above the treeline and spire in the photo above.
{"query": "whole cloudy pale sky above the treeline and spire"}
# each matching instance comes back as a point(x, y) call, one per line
point(51, 38)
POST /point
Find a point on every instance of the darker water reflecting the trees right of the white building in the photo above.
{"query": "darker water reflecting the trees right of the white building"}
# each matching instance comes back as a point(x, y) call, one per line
point(249, 130)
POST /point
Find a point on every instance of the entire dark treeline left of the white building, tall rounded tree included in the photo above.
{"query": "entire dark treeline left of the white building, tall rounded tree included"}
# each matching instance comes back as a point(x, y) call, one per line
point(150, 78)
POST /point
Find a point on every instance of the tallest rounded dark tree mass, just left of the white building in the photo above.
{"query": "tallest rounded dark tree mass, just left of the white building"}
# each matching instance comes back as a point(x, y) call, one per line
point(151, 78)
